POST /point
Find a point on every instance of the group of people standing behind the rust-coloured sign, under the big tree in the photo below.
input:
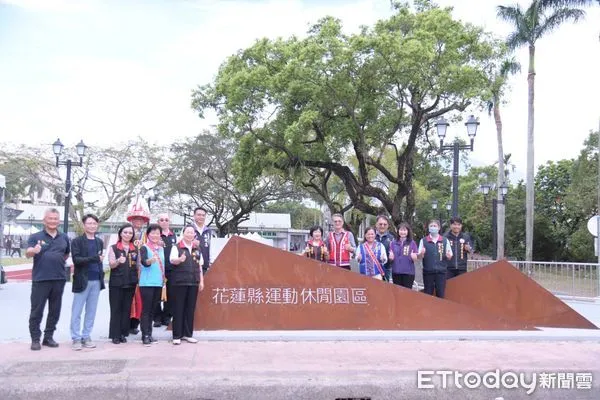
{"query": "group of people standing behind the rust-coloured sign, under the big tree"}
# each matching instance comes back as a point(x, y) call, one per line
point(391, 256)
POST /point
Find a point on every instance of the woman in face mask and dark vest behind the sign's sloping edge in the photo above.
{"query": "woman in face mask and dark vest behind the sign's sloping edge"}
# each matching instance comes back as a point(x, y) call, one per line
point(435, 250)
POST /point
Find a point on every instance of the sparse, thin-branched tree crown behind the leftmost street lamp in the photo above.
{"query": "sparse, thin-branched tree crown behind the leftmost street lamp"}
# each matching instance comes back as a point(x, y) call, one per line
point(107, 181)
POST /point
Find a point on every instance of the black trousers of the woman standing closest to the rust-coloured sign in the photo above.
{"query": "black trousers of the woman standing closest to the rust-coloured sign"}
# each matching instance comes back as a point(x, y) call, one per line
point(183, 300)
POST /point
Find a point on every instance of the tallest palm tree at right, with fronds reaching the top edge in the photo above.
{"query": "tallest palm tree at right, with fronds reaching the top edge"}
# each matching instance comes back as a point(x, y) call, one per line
point(530, 25)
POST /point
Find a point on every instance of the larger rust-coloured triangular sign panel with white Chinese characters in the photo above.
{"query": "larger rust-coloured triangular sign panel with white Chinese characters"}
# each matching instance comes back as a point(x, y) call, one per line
point(256, 287)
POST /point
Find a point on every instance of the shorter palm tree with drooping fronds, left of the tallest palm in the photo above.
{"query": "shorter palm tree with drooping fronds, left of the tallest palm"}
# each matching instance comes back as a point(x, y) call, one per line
point(508, 67)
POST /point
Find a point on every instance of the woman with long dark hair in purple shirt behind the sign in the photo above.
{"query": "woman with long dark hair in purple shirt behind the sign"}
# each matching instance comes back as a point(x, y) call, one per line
point(403, 254)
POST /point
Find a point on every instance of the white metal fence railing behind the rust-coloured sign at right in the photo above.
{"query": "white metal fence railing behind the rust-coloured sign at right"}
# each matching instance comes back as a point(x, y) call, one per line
point(560, 278)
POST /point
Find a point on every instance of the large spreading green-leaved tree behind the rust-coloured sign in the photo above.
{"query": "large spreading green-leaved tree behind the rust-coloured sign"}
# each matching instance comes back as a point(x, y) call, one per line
point(303, 107)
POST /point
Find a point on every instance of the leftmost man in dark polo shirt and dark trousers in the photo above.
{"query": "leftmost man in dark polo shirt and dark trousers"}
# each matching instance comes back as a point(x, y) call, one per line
point(49, 249)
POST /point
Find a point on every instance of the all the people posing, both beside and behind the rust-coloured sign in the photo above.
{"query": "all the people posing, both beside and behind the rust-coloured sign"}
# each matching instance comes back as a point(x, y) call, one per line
point(155, 278)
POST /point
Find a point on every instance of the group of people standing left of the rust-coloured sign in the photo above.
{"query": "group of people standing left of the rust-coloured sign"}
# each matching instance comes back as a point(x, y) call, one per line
point(154, 278)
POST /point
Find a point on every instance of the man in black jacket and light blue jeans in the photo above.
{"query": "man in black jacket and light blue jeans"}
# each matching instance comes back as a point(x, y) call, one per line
point(88, 281)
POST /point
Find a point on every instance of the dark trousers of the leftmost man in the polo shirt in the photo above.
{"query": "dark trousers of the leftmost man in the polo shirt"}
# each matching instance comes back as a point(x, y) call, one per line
point(42, 292)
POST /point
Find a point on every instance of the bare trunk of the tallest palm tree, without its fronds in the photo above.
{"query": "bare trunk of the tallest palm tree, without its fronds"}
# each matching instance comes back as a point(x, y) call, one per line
point(529, 198)
